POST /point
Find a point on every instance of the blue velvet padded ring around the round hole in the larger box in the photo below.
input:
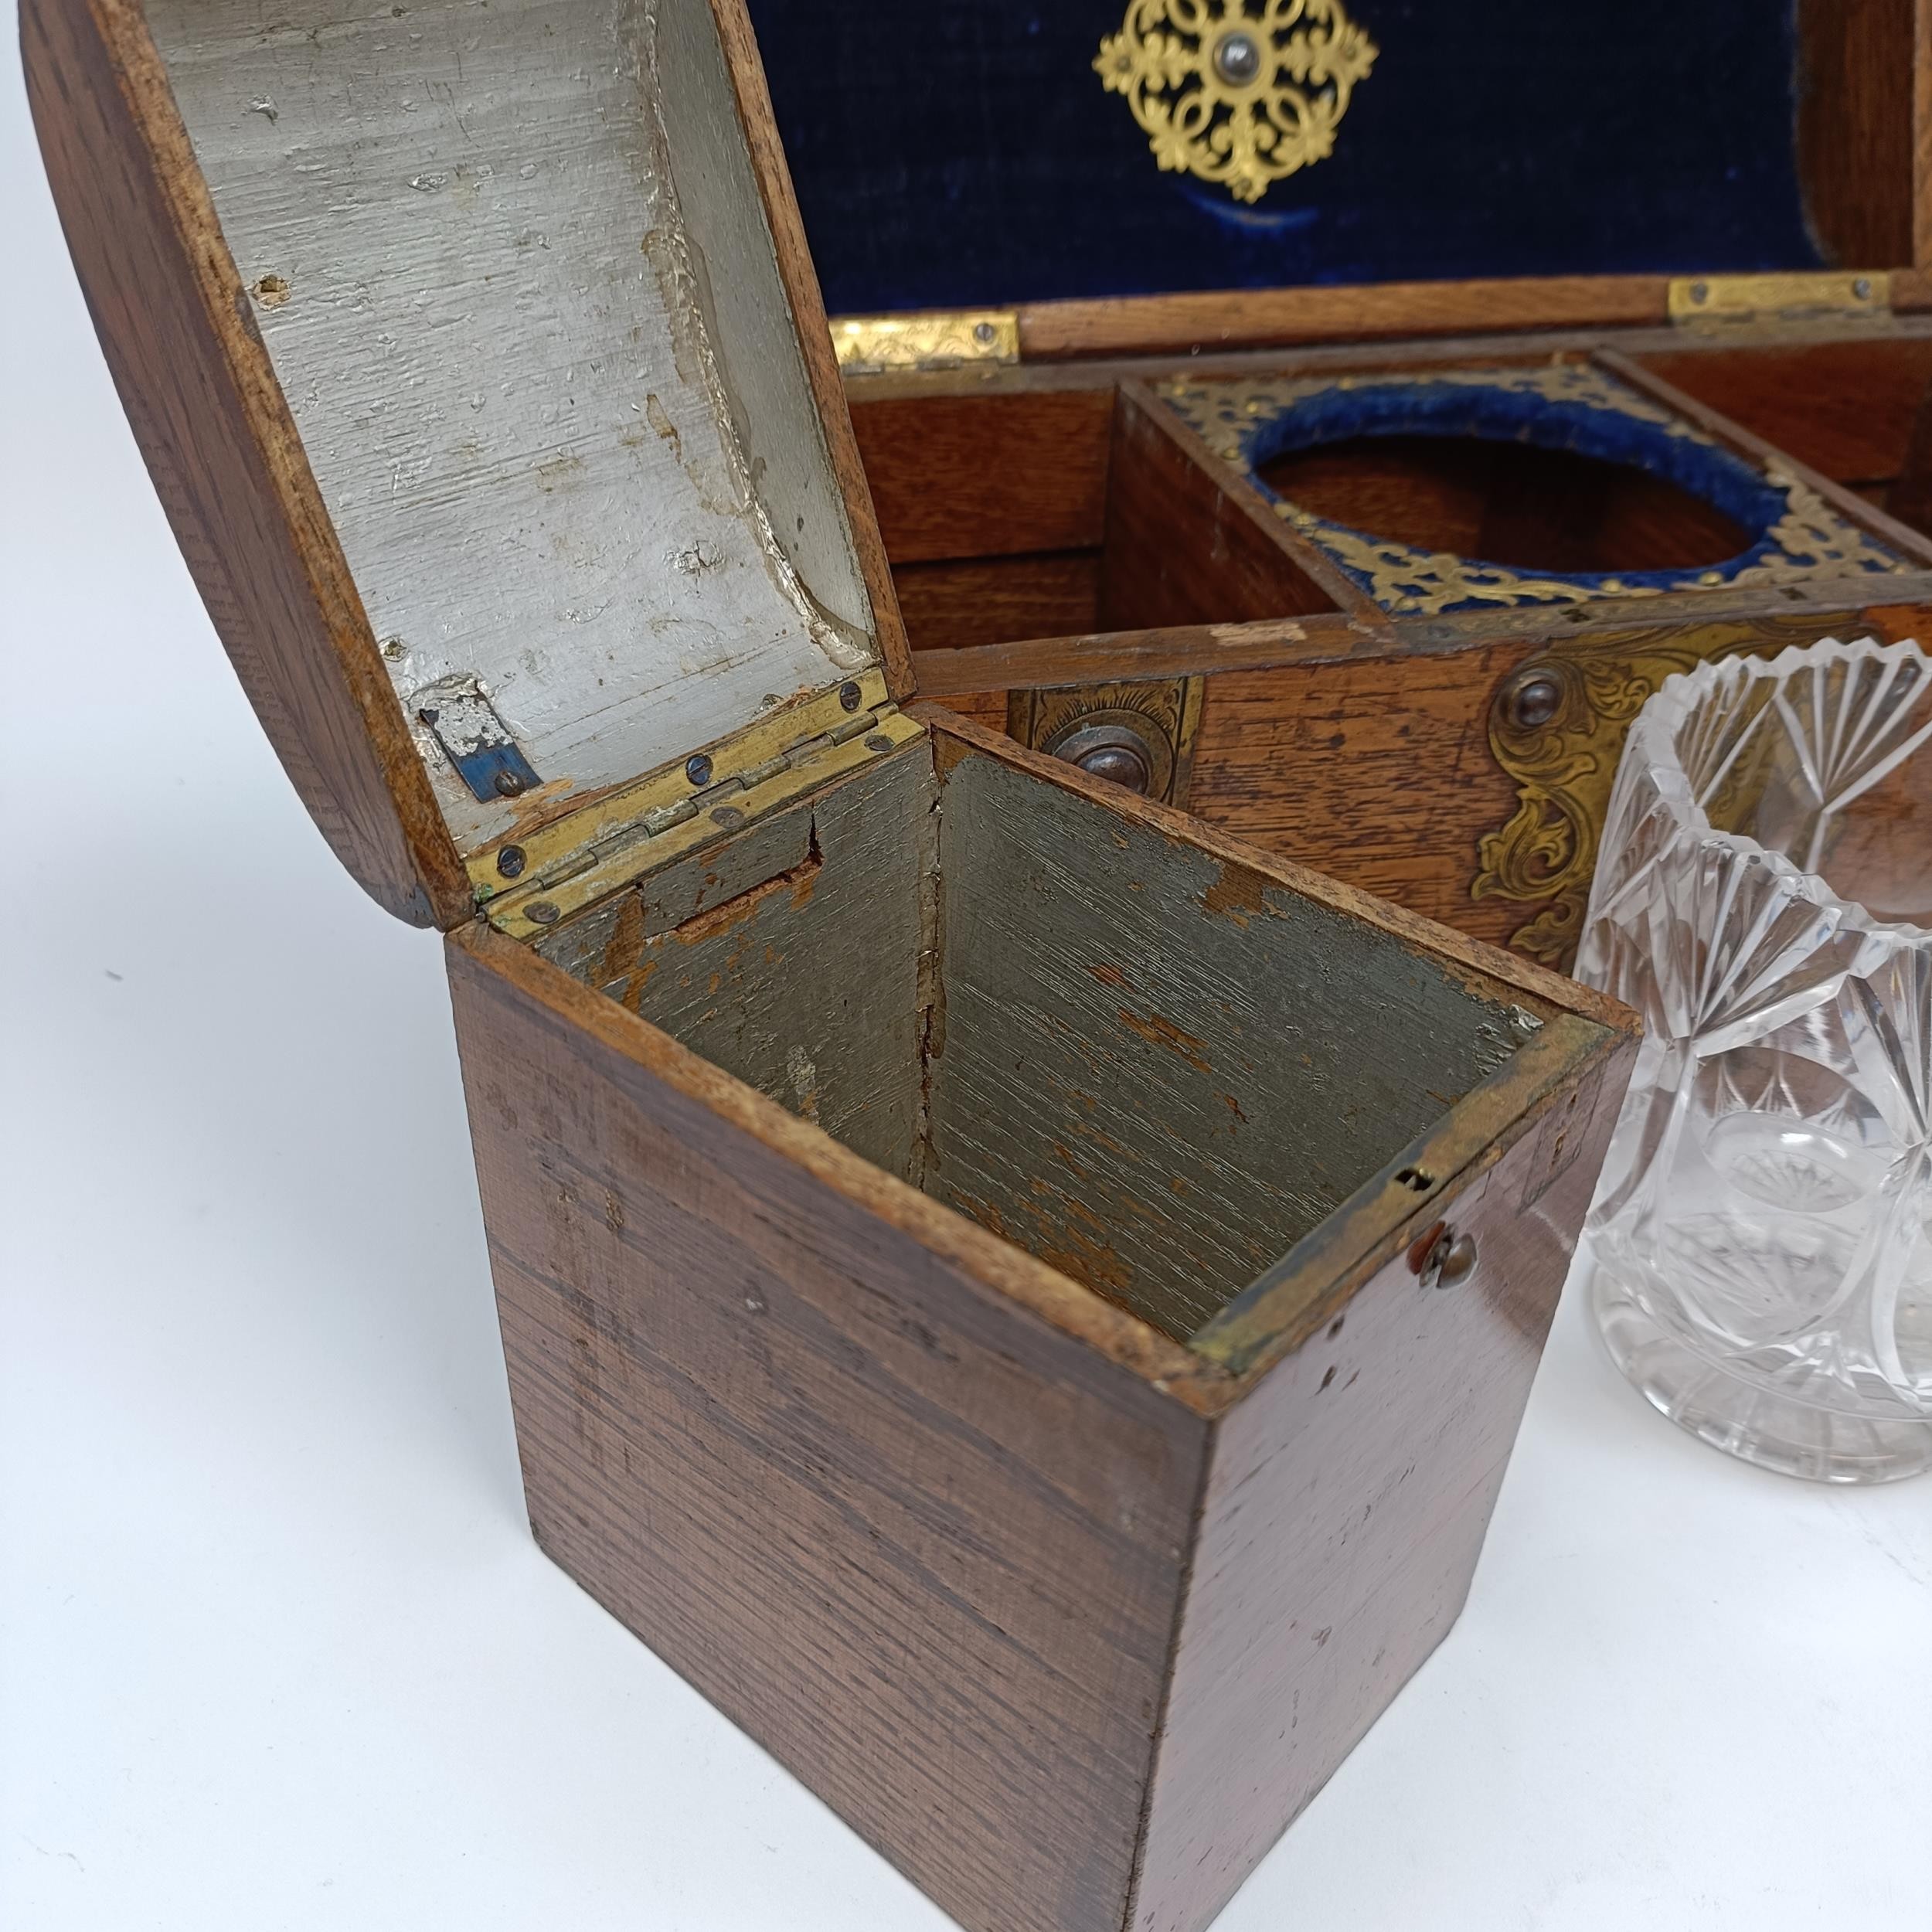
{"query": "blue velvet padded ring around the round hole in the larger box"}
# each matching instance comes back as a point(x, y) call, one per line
point(1500, 414)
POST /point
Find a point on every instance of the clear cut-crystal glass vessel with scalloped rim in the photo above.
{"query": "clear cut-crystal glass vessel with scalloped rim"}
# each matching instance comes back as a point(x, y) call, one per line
point(1765, 899)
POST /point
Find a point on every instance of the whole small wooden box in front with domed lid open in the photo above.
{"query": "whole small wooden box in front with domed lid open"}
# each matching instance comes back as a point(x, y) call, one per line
point(1023, 1299)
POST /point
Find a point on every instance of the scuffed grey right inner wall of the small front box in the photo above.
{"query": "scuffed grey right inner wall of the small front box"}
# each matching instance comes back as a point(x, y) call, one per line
point(1156, 1067)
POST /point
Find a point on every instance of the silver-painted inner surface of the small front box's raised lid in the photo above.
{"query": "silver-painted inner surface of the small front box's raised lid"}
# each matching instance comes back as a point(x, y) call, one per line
point(517, 273)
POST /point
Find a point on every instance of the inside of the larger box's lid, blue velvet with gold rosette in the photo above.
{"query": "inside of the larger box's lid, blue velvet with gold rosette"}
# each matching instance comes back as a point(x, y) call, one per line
point(1021, 152)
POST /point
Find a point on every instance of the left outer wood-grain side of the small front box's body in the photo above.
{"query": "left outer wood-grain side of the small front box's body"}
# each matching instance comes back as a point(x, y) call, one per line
point(919, 1545)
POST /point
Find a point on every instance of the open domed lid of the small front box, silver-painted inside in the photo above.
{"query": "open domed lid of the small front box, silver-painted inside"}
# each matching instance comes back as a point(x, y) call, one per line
point(482, 368)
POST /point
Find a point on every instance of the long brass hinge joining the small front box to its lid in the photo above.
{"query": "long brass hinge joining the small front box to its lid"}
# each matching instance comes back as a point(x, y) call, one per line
point(528, 888)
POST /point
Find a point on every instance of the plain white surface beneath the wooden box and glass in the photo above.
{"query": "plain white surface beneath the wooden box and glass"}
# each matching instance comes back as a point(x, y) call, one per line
point(277, 1649)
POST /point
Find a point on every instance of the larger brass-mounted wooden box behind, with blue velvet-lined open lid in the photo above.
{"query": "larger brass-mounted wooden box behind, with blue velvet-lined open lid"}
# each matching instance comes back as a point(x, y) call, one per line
point(1081, 565)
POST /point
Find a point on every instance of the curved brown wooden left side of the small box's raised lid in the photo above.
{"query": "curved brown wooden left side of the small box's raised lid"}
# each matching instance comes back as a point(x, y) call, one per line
point(225, 457)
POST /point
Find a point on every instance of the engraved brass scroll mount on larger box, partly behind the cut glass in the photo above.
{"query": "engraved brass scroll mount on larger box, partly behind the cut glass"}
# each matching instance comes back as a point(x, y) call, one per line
point(1558, 727)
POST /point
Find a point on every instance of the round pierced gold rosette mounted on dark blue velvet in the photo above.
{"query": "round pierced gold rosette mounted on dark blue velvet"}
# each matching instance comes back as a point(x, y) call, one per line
point(1241, 94)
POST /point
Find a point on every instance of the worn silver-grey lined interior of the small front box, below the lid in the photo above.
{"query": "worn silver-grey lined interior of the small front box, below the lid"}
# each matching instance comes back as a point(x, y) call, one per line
point(1151, 1067)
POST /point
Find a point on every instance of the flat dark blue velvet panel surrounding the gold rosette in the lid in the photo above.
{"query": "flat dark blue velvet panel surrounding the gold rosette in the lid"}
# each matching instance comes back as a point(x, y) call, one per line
point(967, 154)
